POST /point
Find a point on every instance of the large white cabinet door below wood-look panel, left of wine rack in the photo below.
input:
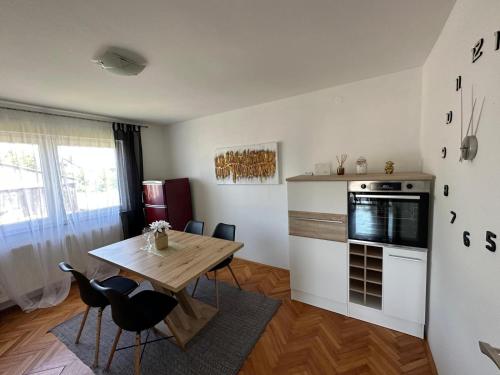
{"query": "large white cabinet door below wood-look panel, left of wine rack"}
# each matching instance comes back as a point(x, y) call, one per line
point(319, 267)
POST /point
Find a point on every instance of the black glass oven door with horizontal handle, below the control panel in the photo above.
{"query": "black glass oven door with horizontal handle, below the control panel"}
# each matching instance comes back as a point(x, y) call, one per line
point(399, 219)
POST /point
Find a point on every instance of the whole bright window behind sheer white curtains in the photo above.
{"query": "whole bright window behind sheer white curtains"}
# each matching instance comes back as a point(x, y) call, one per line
point(54, 177)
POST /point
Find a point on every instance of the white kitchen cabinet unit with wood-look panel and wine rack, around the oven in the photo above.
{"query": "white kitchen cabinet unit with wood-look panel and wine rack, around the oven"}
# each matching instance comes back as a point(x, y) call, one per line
point(373, 282)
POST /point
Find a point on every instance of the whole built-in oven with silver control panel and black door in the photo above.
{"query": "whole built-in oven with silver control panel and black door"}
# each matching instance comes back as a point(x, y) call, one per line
point(393, 212)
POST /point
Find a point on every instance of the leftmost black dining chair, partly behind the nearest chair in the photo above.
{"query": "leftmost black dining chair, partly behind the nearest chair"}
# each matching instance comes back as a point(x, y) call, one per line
point(93, 298)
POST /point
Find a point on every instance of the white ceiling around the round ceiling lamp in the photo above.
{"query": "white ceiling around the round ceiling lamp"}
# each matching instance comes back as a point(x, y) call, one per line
point(205, 56)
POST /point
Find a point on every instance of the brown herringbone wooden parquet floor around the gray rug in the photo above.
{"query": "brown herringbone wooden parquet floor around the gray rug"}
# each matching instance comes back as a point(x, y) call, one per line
point(300, 339)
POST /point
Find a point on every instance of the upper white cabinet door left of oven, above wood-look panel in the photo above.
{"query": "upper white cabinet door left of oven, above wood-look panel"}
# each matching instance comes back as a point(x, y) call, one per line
point(318, 196)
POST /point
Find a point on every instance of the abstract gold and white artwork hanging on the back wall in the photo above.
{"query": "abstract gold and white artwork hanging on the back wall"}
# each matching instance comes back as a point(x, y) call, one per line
point(250, 164)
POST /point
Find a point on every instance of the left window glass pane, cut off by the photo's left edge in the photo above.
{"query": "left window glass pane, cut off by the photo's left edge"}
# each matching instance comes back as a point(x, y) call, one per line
point(22, 193)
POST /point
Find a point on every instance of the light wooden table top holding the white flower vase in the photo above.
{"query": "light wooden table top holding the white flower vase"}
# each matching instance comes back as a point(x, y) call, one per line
point(188, 257)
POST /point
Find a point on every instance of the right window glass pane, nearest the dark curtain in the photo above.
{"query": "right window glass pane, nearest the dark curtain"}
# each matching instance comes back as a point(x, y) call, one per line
point(89, 178)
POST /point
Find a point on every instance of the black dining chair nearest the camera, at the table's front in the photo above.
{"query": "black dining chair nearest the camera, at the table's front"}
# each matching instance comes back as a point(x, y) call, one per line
point(135, 314)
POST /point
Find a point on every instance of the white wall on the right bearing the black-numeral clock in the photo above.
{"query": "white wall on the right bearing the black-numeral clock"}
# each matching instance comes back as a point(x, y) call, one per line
point(464, 297)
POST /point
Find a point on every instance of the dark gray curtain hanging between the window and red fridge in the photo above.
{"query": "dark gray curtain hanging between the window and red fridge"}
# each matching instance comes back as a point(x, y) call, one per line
point(130, 175)
